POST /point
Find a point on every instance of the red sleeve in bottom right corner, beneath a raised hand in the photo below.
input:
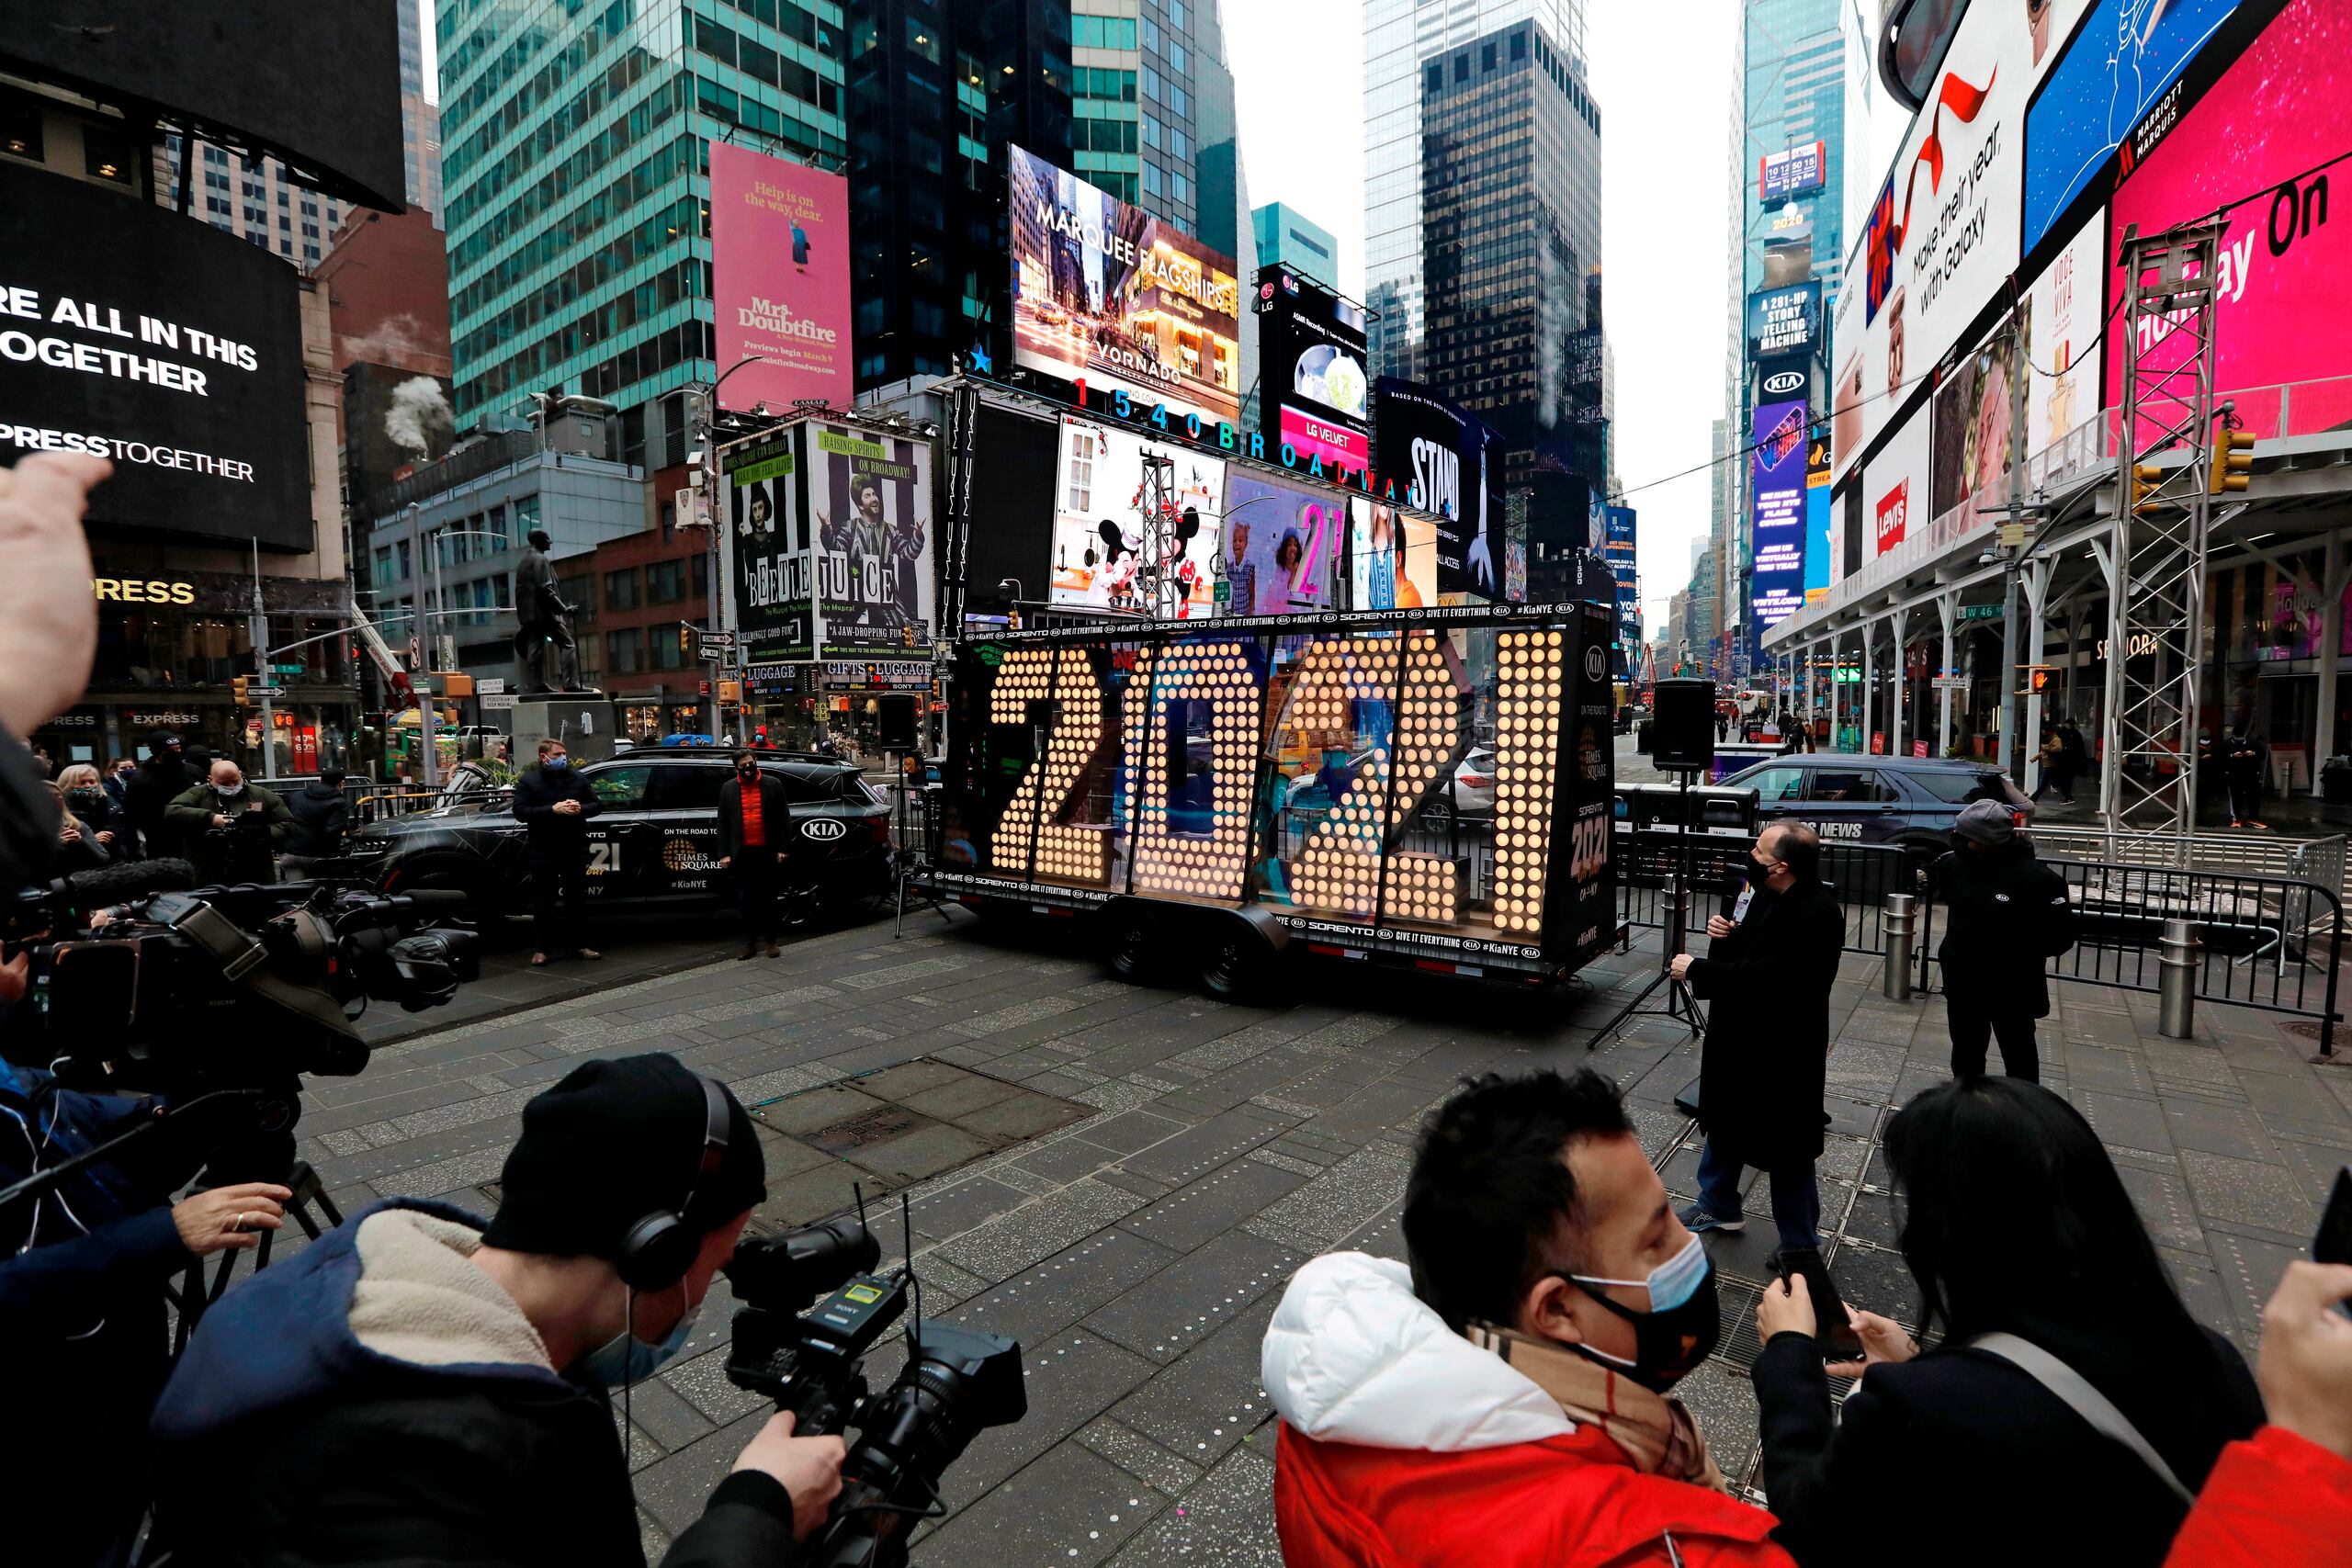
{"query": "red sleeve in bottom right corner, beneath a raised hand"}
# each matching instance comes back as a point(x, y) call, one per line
point(2276, 1501)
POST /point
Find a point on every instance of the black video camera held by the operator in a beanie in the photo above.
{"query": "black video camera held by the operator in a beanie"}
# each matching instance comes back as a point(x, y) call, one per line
point(806, 1355)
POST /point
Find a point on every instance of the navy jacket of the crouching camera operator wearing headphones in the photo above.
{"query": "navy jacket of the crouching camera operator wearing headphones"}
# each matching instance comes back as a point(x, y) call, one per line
point(380, 1461)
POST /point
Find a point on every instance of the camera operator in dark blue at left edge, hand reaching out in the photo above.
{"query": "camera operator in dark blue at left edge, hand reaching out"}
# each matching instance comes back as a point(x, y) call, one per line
point(83, 1273)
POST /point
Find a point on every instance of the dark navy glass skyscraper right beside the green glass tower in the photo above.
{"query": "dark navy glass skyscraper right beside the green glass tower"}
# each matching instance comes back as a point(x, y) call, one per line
point(935, 98)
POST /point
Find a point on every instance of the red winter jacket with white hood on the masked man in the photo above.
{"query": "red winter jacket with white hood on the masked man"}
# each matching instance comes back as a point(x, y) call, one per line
point(1408, 1447)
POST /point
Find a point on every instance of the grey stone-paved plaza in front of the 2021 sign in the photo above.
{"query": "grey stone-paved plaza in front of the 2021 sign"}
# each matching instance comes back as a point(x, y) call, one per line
point(1132, 1214)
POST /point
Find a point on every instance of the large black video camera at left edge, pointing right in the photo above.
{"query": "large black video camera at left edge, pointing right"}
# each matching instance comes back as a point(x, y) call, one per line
point(142, 984)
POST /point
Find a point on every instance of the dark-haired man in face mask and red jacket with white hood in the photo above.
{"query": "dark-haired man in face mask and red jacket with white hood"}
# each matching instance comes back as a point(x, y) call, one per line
point(1506, 1398)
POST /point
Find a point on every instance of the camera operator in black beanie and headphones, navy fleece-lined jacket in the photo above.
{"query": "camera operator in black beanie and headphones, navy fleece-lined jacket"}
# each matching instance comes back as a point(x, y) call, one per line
point(417, 1388)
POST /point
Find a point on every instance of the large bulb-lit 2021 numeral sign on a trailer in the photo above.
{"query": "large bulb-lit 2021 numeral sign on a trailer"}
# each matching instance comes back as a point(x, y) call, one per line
point(1422, 784)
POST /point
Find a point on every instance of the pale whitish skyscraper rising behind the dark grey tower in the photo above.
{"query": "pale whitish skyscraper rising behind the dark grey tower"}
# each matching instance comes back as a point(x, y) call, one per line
point(1398, 39)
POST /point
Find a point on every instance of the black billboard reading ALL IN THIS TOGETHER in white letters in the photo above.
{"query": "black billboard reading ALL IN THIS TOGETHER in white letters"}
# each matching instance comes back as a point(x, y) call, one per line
point(163, 344)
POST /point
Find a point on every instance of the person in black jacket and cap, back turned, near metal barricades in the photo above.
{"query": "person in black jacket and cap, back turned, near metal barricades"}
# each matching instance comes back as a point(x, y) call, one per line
point(2005, 918)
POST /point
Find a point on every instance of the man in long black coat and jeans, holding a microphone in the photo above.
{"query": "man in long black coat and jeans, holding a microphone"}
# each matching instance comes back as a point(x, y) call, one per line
point(1768, 1059)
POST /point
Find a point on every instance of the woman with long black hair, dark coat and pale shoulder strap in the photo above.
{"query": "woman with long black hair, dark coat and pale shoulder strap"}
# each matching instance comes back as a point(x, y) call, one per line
point(2073, 1402)
